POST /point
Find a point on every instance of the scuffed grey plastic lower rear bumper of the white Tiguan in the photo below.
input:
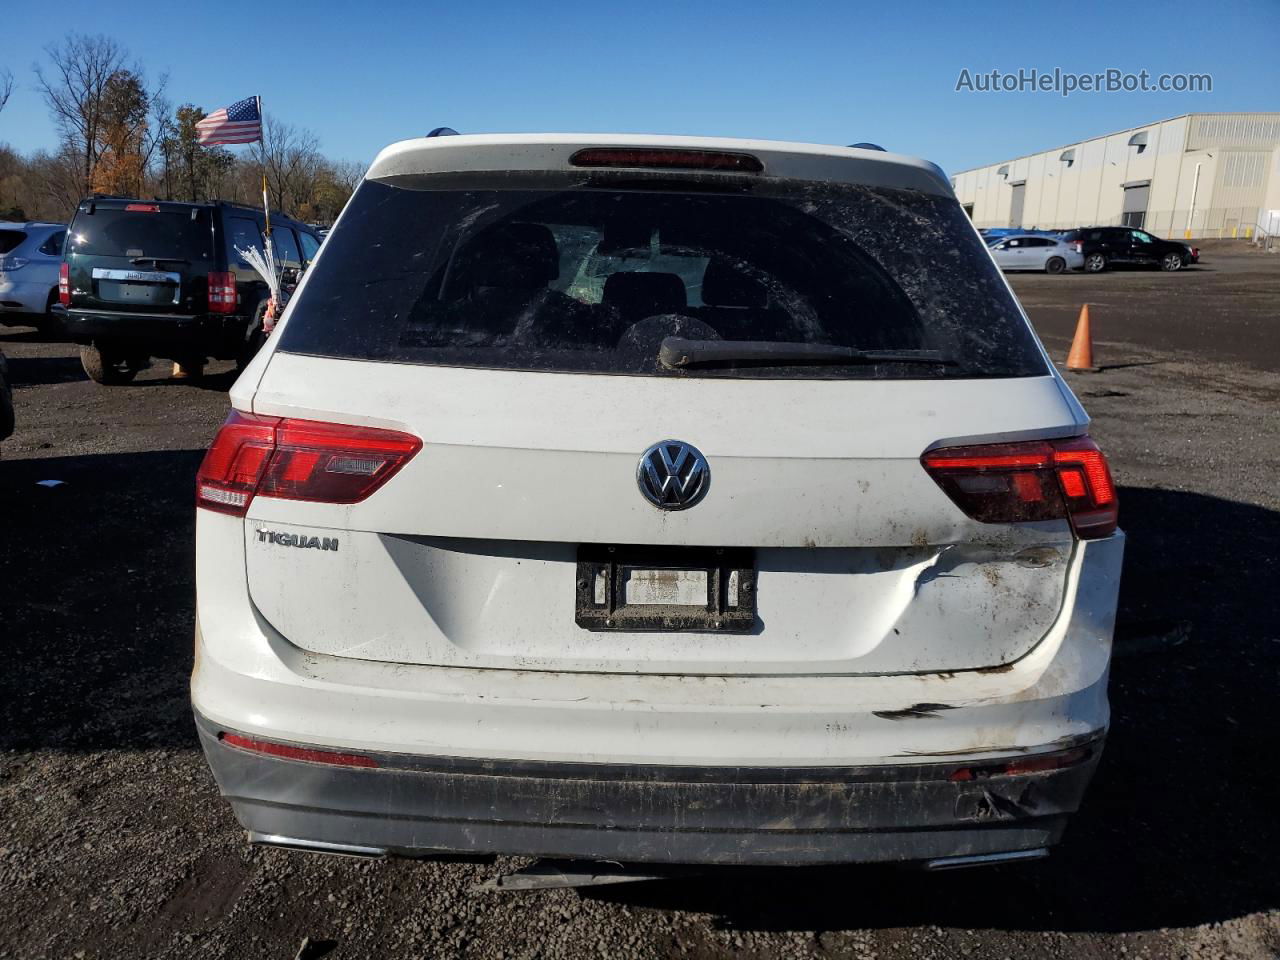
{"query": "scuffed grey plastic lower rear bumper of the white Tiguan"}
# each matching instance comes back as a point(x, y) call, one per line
point(422, 806)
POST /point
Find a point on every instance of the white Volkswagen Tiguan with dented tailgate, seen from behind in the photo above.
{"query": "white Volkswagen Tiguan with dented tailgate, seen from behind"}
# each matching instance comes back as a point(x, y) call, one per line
point(655, 500)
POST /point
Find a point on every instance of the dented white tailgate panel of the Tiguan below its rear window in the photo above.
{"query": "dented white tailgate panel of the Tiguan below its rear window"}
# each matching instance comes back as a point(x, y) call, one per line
point(469, 556)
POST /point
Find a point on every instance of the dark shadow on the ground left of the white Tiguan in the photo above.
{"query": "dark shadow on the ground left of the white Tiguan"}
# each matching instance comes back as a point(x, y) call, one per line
point(97, 587)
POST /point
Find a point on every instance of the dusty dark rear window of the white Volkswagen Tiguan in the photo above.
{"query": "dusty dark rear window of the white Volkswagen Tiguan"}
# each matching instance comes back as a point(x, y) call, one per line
point(595, 276)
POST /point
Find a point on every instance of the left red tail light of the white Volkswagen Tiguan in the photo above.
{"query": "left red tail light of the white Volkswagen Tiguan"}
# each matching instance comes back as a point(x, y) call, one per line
point(298, 460)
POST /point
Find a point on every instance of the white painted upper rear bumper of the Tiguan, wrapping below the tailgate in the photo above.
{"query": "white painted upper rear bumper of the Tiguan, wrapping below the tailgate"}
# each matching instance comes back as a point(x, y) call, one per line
point(250, 678)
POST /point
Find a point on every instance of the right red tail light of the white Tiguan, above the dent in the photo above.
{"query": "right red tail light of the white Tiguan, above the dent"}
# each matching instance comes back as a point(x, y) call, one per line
point(1009, 483)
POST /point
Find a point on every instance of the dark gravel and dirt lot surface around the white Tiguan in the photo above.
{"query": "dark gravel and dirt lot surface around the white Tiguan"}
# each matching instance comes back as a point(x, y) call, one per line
point(115, 842)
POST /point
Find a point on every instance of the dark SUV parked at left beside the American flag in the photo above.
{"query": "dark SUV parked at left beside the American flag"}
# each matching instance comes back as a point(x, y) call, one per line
point(145, 280)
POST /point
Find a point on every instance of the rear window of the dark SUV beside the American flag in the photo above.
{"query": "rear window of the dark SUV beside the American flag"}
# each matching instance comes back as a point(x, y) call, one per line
point(184, 234)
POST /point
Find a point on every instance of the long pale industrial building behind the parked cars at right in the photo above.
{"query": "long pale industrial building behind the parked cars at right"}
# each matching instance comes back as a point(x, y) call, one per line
point(1192, 176)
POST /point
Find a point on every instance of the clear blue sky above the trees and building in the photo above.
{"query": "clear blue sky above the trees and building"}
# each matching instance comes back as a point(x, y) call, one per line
point(362, 76)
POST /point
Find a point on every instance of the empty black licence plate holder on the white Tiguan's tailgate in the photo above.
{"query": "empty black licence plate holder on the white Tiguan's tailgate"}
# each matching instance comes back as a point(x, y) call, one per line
point(665, 588)
